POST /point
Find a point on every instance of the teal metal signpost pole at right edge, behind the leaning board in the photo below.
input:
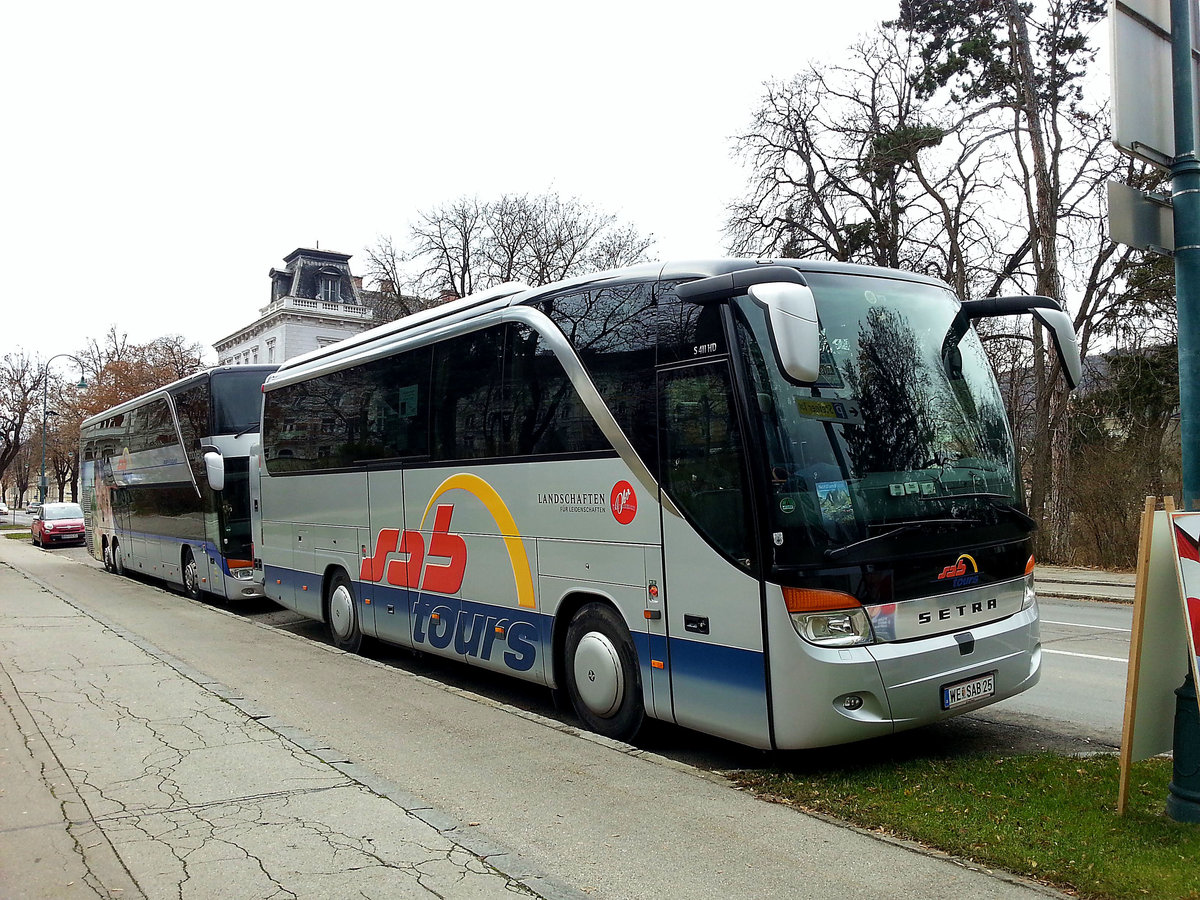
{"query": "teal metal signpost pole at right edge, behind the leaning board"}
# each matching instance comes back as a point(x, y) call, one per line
point(1184, 794)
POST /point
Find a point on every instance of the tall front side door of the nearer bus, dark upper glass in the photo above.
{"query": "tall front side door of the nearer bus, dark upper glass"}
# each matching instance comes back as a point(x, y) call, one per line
point(713, 607)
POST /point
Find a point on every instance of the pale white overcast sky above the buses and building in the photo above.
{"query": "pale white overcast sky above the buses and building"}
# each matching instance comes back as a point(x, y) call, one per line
point(161, 158)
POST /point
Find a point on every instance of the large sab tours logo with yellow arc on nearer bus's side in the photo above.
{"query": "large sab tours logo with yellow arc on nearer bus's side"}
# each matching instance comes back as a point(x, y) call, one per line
point(404, 560)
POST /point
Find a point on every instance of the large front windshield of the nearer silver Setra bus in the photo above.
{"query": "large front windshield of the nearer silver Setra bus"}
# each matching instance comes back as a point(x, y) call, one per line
point(901, 447)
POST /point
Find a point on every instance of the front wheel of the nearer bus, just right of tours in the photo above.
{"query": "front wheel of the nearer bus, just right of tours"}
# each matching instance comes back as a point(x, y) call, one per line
point(602, 674)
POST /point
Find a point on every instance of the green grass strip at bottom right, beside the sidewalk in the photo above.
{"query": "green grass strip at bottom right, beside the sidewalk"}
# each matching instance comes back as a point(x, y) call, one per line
point(1045, 817)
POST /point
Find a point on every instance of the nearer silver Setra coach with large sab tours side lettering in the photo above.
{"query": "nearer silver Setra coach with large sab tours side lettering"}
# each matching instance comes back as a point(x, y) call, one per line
point(777, 502)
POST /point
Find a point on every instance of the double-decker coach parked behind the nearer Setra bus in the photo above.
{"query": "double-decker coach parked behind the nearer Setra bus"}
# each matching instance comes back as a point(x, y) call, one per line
point(166, 483)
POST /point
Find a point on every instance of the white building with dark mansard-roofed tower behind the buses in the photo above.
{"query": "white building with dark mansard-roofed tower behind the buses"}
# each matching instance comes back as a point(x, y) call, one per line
point(316, 302)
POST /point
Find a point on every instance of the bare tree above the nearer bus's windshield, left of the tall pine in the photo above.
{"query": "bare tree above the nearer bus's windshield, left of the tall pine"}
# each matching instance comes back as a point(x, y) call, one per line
point(848, 163)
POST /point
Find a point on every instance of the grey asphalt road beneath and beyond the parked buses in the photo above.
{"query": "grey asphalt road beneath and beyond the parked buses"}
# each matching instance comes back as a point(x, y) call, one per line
point(1077, 707)
